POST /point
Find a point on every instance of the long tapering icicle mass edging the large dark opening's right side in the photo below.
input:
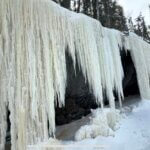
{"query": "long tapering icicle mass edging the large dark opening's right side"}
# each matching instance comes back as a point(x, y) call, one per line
point(87, 54)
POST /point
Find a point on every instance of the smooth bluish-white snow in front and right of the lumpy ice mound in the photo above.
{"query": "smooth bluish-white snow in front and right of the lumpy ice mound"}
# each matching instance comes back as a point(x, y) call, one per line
point(133, 134)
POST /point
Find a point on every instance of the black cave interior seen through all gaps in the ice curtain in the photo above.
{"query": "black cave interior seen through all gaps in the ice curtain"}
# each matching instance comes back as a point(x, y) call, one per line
point(79, 99)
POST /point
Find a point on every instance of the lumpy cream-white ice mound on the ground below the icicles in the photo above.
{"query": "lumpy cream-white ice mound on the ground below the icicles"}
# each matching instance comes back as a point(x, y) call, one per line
point(102, 123)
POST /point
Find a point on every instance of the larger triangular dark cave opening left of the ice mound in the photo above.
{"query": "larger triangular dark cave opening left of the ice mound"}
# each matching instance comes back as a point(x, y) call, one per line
point(79, 100)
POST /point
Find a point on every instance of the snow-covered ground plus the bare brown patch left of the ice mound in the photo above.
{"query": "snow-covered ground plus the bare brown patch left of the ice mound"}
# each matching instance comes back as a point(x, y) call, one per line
point(133, 132)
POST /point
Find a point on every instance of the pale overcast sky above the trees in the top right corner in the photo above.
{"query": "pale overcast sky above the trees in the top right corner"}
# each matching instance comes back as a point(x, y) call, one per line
point(134, 7)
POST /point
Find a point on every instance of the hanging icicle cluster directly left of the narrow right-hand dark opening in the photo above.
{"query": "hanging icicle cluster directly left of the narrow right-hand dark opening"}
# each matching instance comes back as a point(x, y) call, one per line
point(112, 41)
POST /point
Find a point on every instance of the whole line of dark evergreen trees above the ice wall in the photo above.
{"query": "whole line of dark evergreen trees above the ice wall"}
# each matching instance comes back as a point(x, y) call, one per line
point(110, 14)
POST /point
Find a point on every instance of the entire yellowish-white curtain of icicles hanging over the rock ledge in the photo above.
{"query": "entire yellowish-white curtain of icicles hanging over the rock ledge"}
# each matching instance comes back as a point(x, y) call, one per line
point(34, 36)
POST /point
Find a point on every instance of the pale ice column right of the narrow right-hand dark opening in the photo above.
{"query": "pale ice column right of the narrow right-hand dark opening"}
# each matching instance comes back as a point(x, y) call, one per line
point(140, 52)
